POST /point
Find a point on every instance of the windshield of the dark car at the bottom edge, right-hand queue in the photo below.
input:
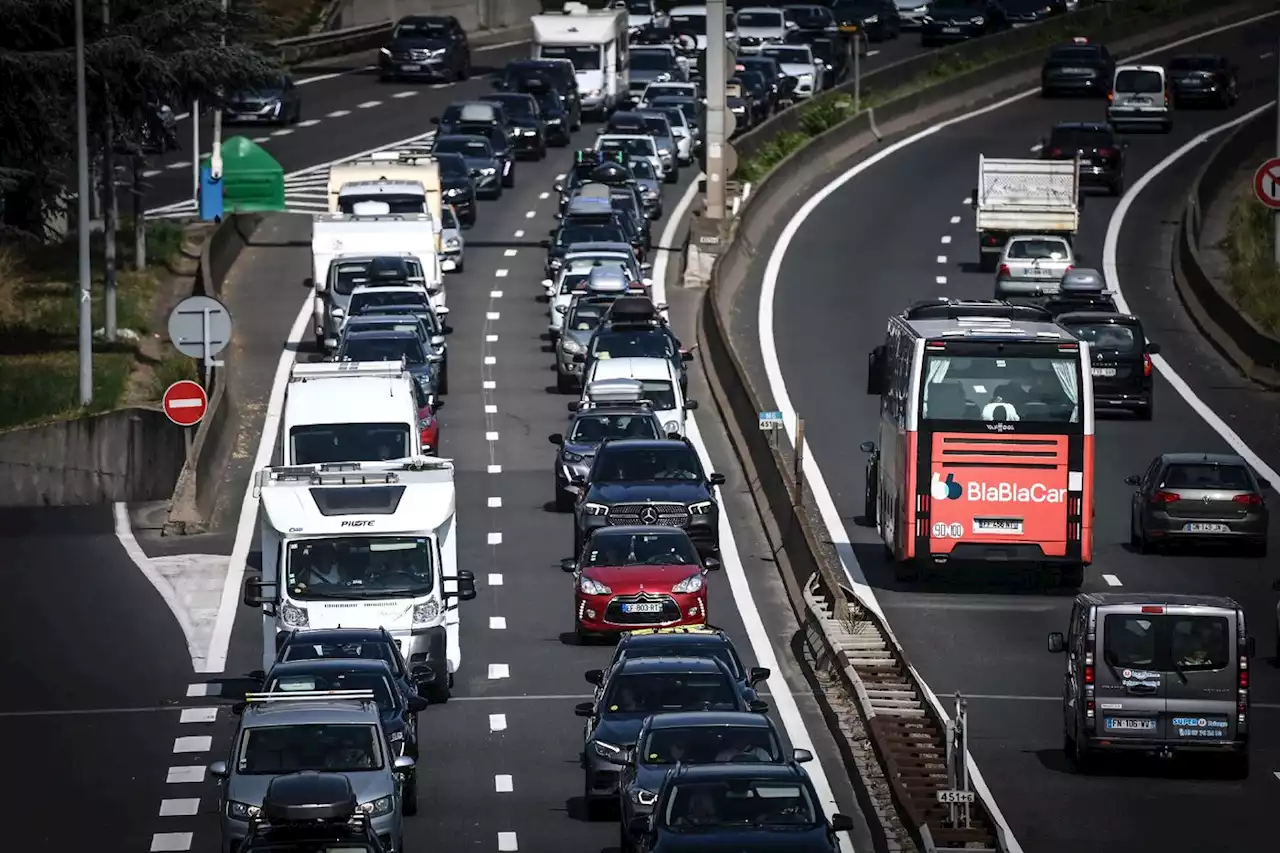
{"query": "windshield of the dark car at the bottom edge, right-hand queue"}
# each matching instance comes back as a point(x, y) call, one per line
point(738, 802)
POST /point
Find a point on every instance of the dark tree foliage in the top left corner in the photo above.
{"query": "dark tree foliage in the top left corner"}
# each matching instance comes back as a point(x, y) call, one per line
point(150, 53)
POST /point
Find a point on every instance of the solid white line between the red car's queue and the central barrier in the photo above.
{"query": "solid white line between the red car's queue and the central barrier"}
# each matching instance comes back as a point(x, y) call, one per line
point(784, 703)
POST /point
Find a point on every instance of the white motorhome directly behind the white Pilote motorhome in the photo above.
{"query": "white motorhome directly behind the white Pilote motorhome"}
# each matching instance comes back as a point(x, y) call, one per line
point(351, 412)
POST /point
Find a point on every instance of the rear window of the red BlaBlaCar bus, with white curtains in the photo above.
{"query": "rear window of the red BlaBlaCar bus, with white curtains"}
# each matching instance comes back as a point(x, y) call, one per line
point(1002, 389)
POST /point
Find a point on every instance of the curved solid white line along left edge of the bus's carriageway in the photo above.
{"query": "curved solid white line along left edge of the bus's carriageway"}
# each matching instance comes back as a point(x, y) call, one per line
point(783, 399)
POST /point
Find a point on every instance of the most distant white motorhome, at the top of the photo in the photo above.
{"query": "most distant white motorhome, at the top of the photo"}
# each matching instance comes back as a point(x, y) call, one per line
point(597, 45)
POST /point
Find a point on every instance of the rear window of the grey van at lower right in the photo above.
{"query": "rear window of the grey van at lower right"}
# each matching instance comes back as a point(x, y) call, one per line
point(1168, 644)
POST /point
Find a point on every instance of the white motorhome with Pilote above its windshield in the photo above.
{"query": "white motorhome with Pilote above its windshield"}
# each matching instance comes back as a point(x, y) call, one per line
point(364, 545)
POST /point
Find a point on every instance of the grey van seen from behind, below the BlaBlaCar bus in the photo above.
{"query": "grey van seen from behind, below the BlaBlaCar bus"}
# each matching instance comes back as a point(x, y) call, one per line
point(1156, 674)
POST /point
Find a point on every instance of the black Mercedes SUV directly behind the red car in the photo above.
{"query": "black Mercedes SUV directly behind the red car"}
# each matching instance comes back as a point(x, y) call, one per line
point(650, 482)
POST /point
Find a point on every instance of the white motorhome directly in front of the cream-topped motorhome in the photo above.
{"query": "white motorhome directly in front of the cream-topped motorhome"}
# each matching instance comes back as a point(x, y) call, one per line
point(339, 236)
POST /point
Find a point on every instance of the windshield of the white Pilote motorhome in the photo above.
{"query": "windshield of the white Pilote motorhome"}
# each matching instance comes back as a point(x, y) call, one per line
point(369, 567)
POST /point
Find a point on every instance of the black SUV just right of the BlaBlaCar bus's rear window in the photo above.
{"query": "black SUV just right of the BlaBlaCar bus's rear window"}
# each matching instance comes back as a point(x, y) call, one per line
point(1121, 361)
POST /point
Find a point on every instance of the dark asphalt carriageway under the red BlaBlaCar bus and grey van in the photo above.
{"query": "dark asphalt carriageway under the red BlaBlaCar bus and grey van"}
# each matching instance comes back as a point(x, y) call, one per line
point(899, 229)
